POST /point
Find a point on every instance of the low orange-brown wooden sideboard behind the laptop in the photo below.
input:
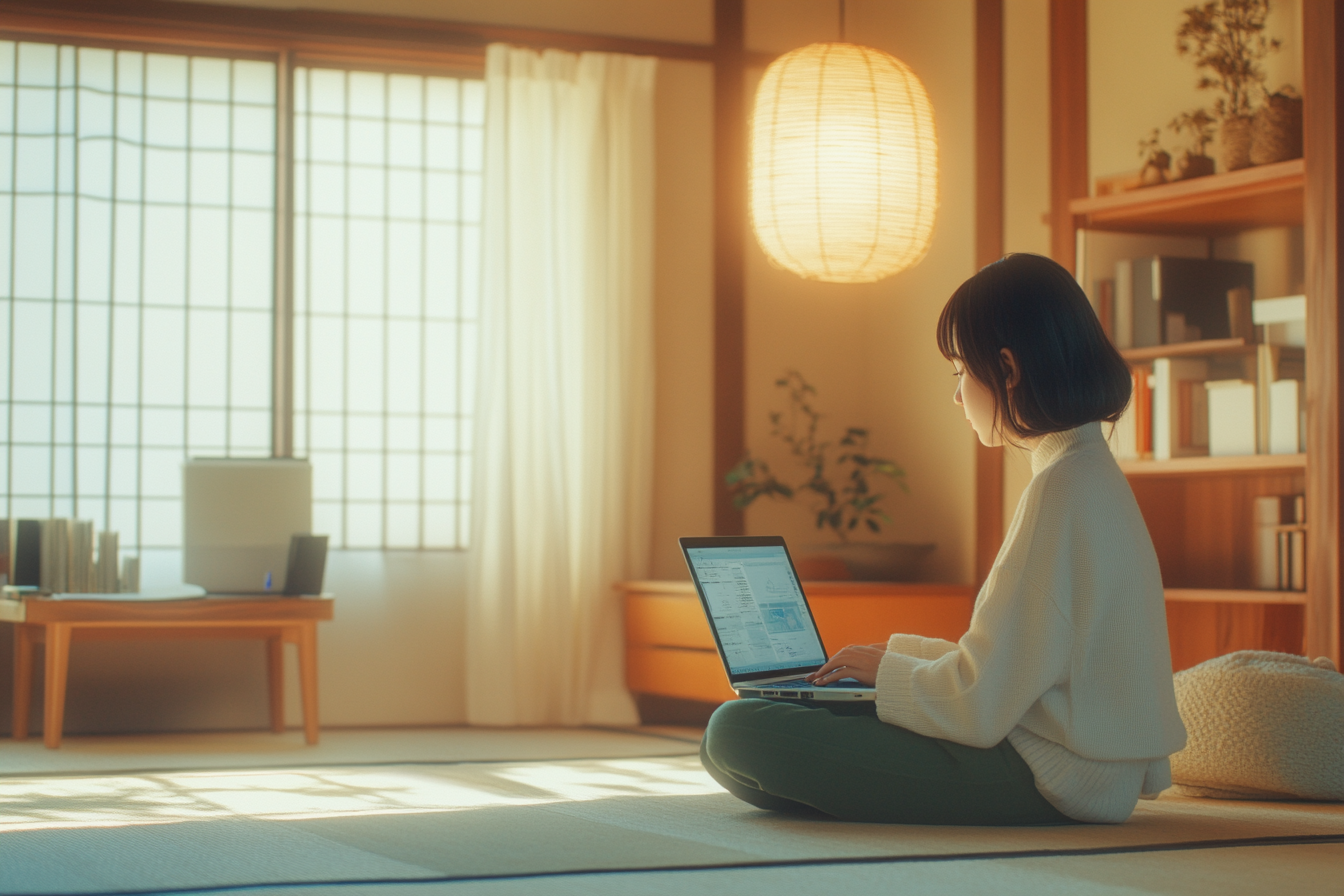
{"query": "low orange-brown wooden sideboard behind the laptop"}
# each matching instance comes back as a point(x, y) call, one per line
point(670, 651)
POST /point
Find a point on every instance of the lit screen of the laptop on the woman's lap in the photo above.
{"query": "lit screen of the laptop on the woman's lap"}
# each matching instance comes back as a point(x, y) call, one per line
point(760, 615)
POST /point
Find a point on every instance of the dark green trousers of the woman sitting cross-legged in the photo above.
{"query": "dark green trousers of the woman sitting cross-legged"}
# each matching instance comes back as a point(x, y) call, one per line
point(842, 761)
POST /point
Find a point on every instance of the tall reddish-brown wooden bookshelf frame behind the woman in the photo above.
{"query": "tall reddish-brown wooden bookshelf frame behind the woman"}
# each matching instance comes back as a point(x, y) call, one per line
point(1200, 510)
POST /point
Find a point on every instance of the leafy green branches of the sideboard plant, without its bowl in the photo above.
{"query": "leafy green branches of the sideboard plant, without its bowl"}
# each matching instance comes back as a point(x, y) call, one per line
point(842, 506)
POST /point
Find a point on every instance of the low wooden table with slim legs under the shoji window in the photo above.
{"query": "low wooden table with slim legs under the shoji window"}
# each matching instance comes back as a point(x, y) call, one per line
point(57, 624)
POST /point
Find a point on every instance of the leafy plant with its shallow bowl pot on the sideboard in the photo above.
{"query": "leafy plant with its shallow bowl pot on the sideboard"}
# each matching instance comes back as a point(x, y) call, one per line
point(842, 492)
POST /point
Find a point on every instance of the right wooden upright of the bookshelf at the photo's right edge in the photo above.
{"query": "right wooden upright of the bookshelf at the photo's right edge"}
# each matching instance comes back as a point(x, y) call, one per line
point(1323, 114)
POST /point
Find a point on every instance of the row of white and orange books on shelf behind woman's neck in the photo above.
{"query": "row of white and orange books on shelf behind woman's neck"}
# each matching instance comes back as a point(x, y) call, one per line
point(1200, 406)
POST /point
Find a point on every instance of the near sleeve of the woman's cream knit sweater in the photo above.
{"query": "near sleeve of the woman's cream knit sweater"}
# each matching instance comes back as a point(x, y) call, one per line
point(1017, 649)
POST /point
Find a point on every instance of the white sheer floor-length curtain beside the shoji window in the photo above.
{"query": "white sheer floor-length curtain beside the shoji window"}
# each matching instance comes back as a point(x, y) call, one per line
point(564, 443)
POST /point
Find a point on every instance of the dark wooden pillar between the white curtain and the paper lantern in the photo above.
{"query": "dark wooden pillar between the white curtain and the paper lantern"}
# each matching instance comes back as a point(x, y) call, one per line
point(730, 209)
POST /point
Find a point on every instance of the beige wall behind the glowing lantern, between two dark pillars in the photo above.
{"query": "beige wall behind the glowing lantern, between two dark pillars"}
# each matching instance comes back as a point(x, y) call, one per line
point(870, 349)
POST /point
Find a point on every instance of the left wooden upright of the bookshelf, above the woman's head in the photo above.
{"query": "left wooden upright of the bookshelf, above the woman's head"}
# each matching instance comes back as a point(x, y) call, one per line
point(1068, 122)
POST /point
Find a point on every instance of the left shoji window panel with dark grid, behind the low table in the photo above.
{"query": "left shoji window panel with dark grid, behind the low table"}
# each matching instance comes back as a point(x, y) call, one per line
point(138, 263)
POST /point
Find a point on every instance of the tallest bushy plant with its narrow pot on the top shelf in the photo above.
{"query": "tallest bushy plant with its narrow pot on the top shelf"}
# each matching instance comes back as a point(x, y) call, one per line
point(1228, 42)
